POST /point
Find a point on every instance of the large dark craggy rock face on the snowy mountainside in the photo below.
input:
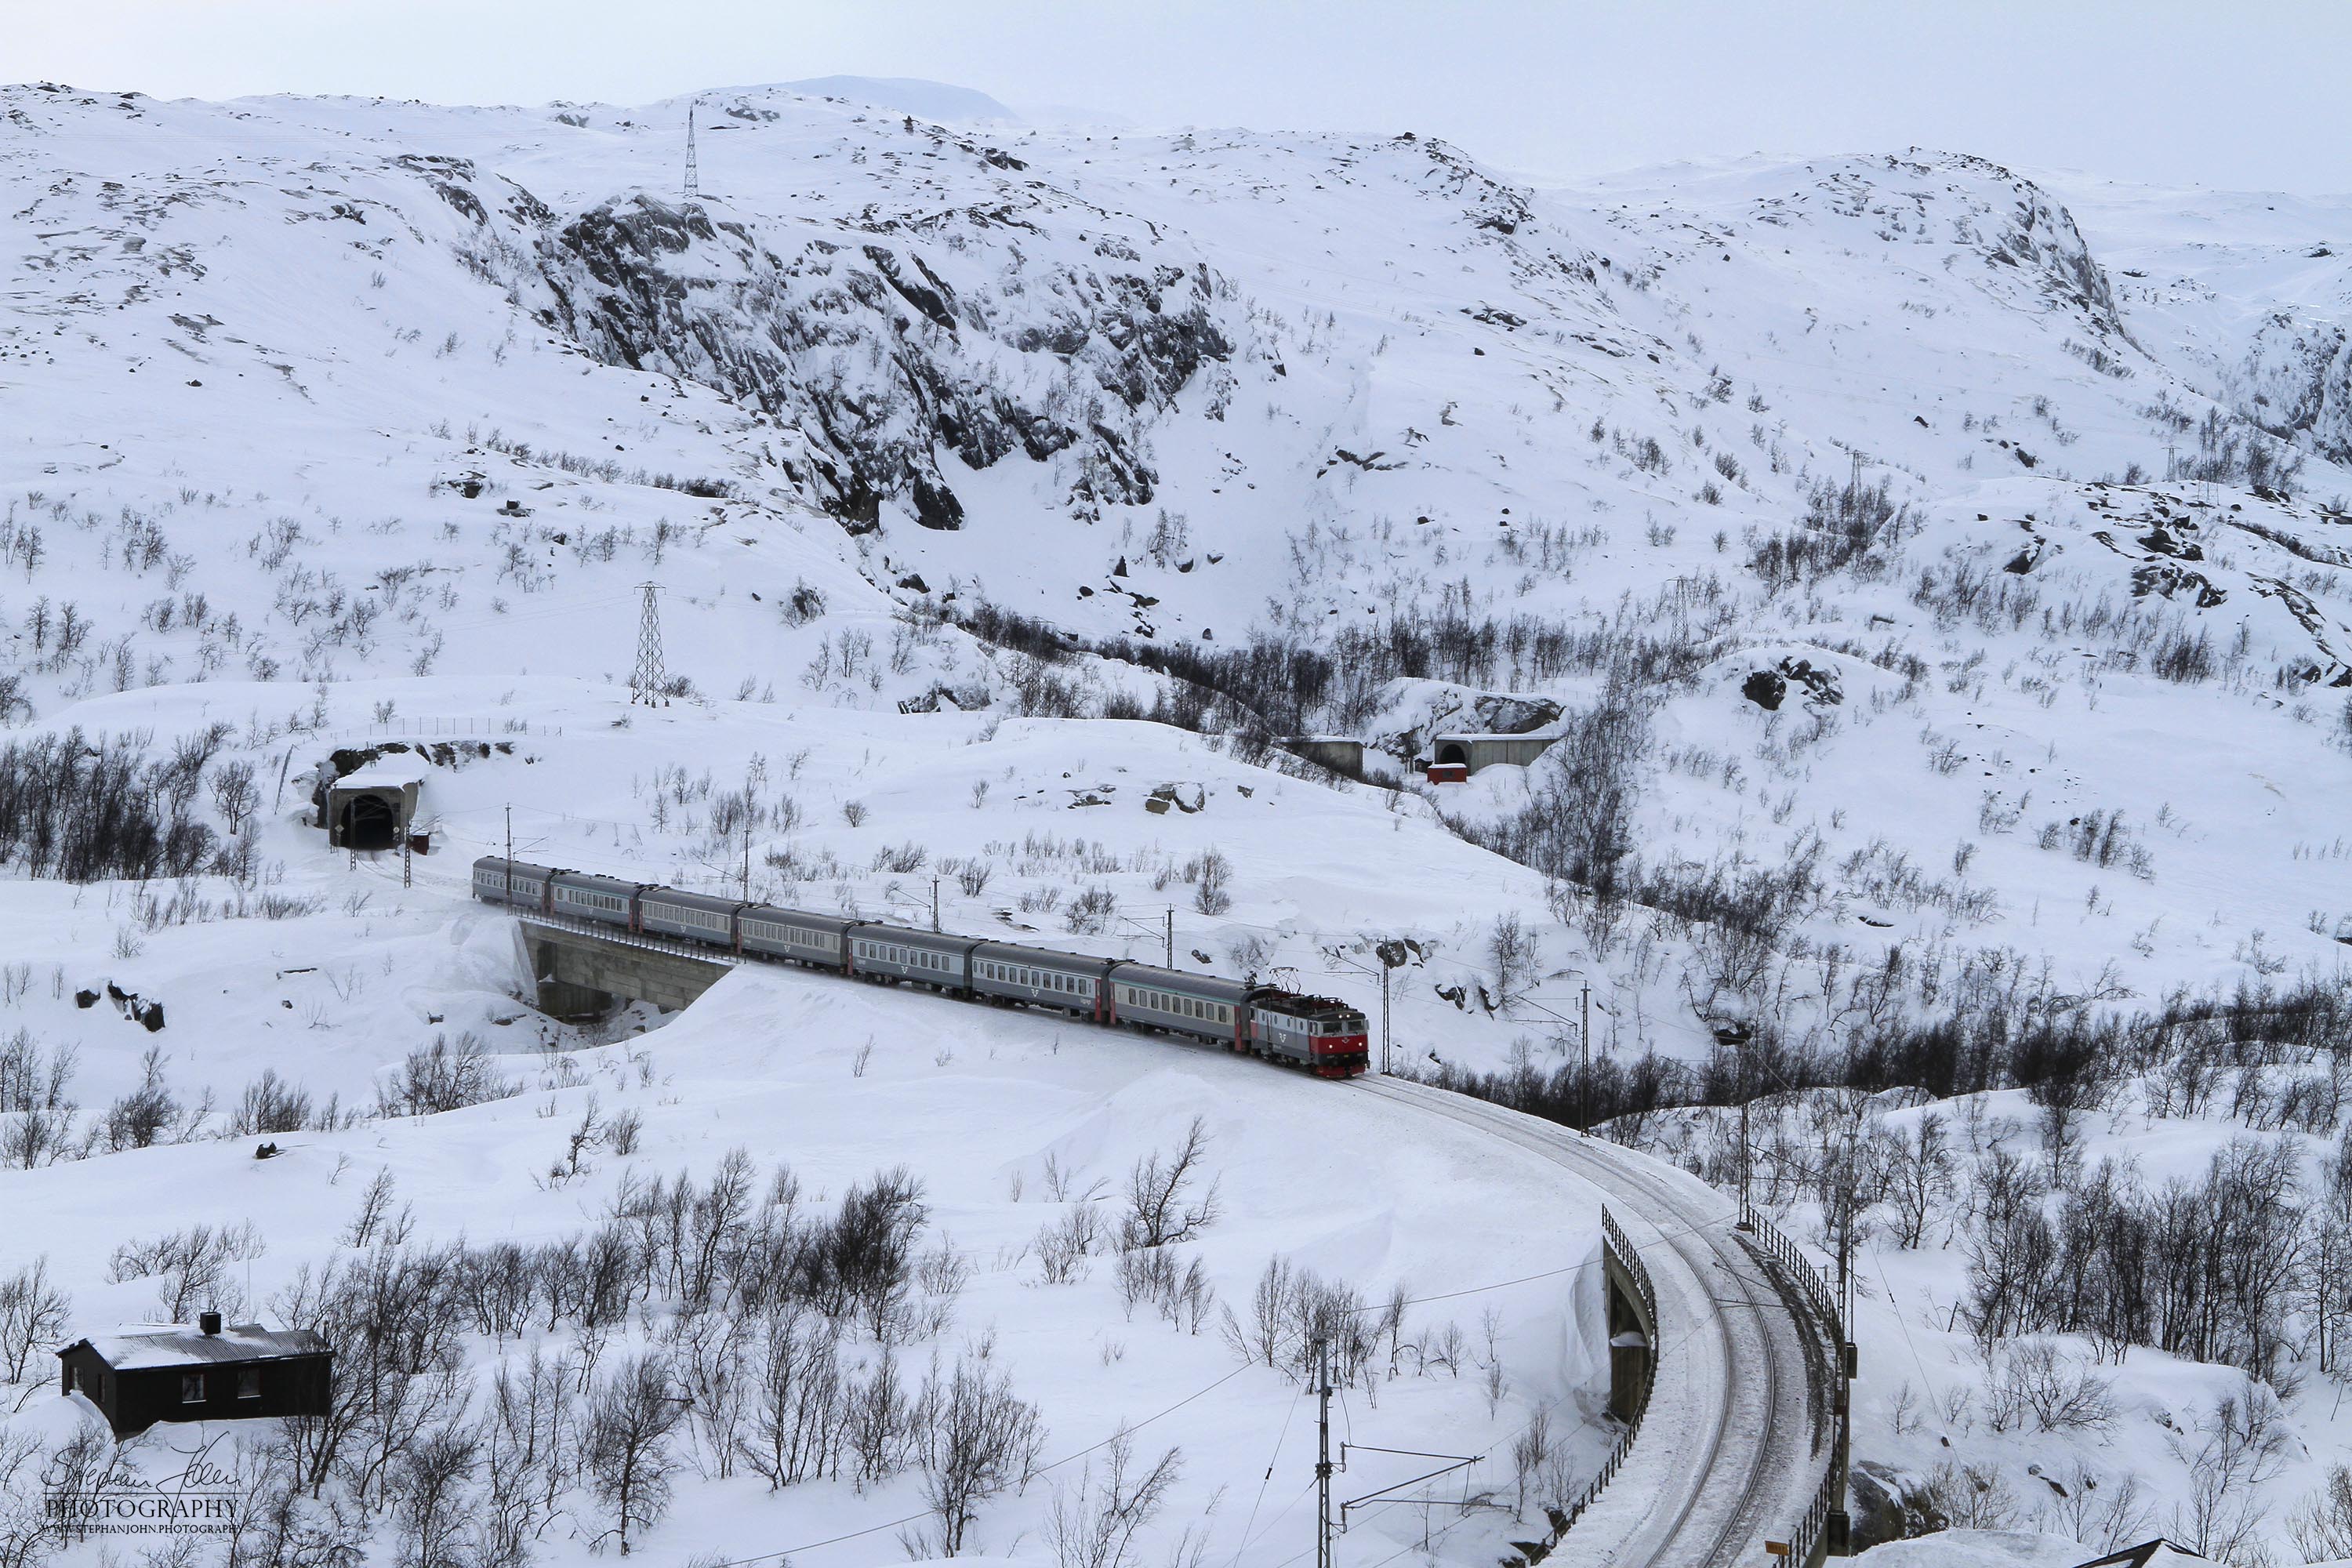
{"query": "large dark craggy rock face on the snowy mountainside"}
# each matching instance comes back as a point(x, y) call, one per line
point(881, 361)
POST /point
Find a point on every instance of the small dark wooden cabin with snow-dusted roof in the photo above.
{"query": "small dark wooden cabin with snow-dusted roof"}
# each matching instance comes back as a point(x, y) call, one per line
point(145, 1376)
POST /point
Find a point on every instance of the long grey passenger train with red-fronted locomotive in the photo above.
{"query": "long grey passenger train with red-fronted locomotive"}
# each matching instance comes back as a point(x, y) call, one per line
point(1316, 1033)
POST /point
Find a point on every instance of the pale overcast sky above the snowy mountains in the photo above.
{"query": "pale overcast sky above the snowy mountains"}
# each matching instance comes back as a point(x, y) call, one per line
point(2243, 95)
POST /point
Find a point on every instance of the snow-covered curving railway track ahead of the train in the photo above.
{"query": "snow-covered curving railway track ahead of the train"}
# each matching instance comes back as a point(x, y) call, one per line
point(1730, 1452)
